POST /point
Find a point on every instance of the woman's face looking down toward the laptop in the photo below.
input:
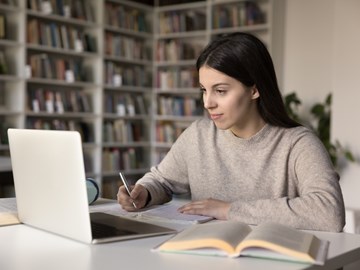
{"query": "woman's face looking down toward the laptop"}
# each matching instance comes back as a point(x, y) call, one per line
point(230, 104)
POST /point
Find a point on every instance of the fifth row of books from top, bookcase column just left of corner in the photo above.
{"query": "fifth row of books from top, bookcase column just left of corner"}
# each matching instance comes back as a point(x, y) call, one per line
point(121, 131)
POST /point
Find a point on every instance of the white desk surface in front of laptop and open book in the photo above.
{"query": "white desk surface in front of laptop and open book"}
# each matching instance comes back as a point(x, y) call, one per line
point(23, 247)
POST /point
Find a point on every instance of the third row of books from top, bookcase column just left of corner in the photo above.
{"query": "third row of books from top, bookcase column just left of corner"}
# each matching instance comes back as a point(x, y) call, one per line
point(117, 74)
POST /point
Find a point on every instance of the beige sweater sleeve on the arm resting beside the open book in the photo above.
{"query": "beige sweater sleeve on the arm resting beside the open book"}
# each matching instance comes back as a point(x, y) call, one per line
point(319, 204)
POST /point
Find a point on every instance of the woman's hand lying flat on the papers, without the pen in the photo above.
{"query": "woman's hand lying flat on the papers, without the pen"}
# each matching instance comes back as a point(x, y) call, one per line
point(209, 207)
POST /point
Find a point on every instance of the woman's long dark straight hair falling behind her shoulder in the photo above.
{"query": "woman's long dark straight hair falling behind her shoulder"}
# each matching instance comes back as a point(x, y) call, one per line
point(245, 58)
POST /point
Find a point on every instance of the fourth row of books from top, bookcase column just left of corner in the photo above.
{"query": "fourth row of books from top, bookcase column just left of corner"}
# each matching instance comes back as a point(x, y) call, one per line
point(124, 104)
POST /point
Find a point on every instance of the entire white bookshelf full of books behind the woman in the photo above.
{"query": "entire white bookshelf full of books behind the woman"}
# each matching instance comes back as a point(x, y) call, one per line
point(120, 72)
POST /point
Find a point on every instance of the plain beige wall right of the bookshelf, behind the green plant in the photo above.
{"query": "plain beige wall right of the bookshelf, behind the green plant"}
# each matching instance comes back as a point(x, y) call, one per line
point(322, 55)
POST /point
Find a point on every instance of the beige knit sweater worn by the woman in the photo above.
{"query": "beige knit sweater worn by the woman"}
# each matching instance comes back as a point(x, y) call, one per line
point(282, 175)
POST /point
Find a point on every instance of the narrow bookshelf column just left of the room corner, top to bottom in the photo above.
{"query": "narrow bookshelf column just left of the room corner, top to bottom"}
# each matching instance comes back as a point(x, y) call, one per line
point(127, 92)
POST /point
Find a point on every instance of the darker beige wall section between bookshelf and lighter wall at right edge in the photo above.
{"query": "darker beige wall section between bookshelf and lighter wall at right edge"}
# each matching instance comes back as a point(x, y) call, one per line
point(308, 48)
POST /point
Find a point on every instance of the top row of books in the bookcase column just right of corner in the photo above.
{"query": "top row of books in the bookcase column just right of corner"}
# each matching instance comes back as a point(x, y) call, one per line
point(182, 21)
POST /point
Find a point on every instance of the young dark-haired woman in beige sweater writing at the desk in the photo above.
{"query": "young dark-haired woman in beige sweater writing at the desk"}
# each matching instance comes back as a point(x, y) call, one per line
point(248, 160)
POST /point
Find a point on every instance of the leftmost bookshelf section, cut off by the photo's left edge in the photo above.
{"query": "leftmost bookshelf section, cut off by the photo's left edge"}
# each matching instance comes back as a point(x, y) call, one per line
point(11, 81)
